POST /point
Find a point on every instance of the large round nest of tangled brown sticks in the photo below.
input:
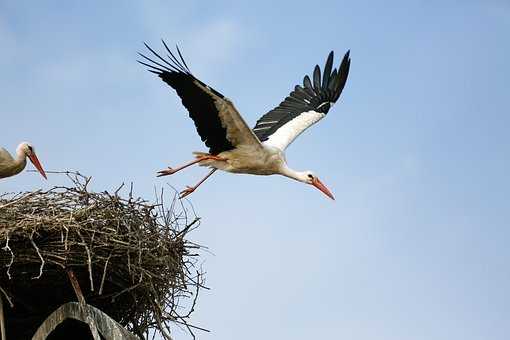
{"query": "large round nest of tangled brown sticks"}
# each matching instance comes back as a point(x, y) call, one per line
point(131, 257)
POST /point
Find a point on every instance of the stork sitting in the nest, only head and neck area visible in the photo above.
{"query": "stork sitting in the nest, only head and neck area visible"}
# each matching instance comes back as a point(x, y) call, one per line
point(10, 166)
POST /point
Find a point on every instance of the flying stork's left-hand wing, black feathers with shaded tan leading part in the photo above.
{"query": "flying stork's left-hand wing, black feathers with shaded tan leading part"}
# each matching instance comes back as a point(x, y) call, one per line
point(217, 121)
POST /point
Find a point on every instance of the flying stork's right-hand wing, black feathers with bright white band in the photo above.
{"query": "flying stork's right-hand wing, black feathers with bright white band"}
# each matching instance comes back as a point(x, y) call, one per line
point(304, 106)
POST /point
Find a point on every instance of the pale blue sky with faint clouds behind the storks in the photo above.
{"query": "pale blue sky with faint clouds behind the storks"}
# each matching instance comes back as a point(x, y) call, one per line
point(416, 152)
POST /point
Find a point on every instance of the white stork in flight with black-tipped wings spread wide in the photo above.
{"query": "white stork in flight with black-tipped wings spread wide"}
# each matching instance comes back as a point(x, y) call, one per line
point(233, 146)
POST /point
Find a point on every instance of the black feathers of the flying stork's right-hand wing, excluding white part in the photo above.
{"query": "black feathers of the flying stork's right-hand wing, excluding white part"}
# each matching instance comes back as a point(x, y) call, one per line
point(317, 96)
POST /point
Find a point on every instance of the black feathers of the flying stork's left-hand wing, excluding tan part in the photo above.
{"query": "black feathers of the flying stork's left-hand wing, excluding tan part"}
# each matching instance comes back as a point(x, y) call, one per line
point(198, 102)
